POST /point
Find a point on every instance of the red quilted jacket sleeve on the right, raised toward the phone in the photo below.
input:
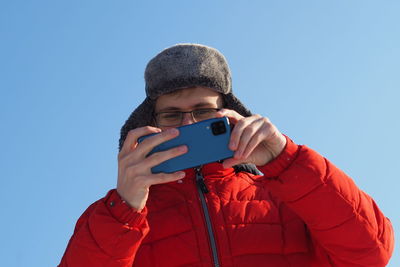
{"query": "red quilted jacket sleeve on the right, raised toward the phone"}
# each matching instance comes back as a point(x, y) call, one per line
point(341, 218)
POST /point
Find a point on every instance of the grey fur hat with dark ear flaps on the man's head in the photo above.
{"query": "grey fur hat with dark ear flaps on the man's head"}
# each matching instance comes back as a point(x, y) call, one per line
point(178, 67)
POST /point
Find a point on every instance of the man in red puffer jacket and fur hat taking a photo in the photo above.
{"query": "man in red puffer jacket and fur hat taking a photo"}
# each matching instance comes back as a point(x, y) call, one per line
point(302, 211)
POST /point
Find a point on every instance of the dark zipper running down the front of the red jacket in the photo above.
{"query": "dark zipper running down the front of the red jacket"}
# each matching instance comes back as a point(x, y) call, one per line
point(202, 189)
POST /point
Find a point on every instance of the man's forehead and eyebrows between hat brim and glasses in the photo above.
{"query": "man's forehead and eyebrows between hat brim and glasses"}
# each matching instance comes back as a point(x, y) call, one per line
point(189, 98)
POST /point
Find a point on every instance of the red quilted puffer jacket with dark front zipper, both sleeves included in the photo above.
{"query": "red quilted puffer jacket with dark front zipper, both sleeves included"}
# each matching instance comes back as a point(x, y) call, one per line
point(302, 212)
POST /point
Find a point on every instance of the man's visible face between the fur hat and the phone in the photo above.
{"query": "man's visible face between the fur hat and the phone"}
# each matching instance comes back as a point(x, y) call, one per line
point(197, 98)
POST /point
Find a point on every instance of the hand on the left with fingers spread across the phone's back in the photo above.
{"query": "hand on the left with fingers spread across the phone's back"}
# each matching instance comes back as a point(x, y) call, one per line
point(134, 168)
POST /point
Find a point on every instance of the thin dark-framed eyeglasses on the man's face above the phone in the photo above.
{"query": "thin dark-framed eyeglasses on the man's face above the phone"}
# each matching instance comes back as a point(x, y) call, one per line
point(175, 118)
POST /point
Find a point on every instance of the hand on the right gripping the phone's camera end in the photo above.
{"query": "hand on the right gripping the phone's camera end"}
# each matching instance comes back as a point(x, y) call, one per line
point(254, 139)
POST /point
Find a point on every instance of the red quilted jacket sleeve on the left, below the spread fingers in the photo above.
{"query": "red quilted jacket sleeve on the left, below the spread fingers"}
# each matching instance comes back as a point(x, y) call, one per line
point(108, 234)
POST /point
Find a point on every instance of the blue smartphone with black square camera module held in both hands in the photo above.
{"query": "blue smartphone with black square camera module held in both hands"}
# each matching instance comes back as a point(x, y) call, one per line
point(207, 142)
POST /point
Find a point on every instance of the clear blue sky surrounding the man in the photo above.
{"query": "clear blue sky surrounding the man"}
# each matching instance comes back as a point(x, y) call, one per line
point(325, 72)
